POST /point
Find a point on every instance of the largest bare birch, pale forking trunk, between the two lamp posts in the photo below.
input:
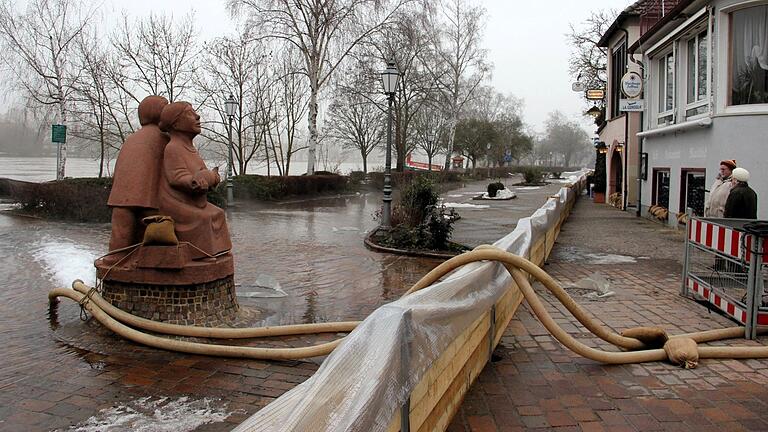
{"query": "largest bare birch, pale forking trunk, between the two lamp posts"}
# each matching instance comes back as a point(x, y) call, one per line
point(323, 32)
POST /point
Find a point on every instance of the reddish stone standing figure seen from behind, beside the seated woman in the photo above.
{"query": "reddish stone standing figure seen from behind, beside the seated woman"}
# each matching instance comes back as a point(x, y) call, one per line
point(138, 173)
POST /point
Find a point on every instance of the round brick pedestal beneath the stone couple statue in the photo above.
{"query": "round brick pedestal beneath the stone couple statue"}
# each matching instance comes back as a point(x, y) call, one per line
point(205, 304)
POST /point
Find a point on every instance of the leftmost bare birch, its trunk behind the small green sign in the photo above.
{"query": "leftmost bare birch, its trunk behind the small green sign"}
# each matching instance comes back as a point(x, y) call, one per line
point(38, 44)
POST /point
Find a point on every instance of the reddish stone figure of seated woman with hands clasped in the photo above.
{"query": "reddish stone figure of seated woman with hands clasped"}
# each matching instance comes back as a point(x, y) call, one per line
point(186, 181)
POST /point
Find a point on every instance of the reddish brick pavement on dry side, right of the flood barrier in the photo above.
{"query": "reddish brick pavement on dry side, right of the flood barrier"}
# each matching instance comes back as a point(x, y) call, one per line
point(539, 385)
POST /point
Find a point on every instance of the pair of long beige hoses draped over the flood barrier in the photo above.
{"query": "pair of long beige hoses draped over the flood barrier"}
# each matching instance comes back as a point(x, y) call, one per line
point(116, 320)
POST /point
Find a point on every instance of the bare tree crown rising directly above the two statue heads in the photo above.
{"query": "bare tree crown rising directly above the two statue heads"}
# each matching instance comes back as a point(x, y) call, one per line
point(158, 55)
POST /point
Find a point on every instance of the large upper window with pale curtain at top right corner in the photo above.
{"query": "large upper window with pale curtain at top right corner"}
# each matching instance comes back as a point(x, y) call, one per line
point(749, 56)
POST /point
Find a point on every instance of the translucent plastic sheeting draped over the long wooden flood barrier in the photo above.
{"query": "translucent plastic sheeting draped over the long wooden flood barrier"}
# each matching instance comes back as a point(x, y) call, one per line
point(371, 374)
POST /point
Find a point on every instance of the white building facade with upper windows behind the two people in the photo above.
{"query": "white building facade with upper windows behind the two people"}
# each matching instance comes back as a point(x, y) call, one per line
point(706, 99)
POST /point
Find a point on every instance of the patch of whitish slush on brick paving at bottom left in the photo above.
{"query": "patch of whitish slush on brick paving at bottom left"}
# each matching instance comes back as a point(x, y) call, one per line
point(151, 414)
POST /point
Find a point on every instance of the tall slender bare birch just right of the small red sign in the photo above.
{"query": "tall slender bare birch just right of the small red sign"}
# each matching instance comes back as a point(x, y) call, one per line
point(461, 66)
